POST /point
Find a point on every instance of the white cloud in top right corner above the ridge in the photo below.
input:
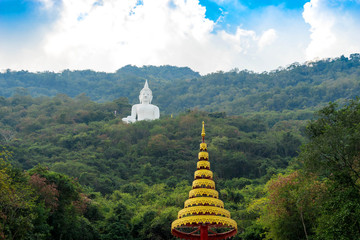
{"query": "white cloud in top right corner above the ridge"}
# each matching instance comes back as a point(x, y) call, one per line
point(334, 31)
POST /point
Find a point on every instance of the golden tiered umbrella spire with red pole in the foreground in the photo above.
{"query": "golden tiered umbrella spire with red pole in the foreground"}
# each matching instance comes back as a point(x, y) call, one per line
point(203, 216)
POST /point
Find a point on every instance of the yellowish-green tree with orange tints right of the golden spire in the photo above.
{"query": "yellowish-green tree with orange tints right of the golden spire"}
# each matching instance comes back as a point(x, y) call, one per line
point(290, 208)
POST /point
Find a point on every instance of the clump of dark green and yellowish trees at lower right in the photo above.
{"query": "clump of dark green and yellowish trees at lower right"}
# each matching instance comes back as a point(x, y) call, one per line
point(321, 200)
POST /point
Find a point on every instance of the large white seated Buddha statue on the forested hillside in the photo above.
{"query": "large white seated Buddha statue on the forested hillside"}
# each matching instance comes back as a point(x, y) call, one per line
point(145, 110)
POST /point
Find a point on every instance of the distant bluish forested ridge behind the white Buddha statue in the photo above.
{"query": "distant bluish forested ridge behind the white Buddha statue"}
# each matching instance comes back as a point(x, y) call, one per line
point(297, 87)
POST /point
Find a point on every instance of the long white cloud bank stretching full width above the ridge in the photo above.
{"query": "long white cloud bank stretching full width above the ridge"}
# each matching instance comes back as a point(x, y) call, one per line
point(105, 35)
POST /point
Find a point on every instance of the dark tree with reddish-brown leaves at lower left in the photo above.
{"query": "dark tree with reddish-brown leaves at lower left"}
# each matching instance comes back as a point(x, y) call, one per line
point(67, 202)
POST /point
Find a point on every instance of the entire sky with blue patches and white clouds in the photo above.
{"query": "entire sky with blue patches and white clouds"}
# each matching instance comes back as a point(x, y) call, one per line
point(206, 35)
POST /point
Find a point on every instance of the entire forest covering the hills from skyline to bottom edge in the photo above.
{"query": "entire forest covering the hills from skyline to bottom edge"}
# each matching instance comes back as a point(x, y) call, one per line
point(71, 169)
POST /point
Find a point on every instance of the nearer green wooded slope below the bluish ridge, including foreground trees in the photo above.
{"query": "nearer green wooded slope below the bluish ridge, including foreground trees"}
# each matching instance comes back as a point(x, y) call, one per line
point(90, 176)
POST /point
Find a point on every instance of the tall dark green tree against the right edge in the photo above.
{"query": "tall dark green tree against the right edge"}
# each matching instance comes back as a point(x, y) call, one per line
point(333, 154)
